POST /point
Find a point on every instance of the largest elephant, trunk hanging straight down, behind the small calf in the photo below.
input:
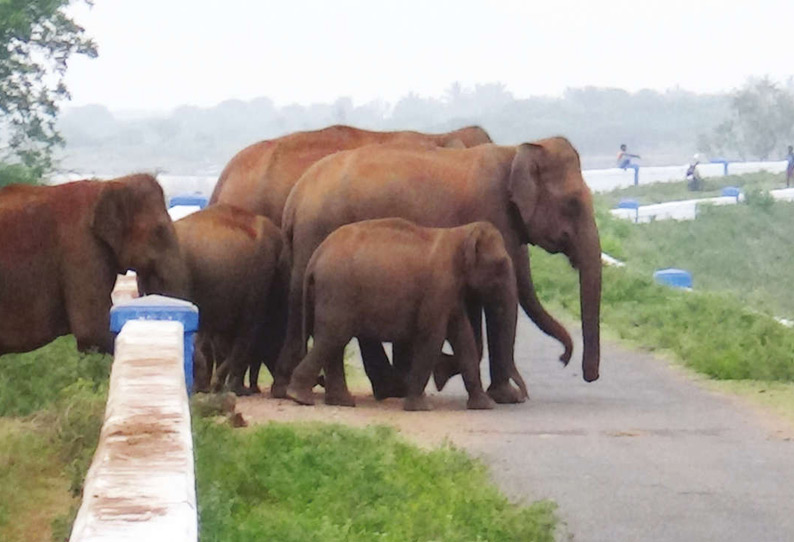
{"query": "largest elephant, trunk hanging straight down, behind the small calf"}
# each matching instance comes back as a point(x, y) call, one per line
point(533, 193)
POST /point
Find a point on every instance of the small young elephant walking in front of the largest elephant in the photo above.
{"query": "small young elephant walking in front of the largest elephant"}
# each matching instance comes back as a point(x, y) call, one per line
point(391, 280)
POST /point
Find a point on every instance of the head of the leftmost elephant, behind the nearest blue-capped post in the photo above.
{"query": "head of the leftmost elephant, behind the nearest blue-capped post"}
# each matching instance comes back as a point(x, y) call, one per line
point(130, 218)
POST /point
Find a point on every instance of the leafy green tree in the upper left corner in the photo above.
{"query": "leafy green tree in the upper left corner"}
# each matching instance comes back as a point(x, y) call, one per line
point(37, 38)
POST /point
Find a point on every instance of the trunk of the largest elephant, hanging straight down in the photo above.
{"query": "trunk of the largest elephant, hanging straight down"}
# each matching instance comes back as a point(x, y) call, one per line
point(589, 263)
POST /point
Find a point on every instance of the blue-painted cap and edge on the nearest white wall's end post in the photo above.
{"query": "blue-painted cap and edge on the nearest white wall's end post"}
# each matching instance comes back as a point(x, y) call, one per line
point(157, 307)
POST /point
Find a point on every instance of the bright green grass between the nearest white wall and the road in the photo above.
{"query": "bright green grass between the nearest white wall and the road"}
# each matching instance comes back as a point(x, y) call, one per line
point(331, 483)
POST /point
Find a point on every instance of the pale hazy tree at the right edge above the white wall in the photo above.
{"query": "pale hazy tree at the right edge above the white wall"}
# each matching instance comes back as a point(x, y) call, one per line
point(760, 122)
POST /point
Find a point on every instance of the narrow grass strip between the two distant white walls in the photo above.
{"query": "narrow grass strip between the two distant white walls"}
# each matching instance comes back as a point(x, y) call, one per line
point(712, 186)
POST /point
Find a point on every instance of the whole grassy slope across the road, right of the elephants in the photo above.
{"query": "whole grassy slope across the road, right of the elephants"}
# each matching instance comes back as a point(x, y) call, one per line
point(739, 257)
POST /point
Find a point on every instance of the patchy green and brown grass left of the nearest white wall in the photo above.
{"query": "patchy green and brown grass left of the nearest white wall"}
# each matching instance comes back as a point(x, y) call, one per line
point(52, 404)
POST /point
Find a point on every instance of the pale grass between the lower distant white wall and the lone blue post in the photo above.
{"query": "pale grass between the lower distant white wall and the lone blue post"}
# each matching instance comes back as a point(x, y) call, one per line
point(744, 250)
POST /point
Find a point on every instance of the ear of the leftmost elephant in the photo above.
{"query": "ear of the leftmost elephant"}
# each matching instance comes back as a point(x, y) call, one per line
point(112, 216)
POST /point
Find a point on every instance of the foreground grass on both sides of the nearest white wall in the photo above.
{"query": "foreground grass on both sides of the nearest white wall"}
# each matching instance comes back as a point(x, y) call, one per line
point(282, 481)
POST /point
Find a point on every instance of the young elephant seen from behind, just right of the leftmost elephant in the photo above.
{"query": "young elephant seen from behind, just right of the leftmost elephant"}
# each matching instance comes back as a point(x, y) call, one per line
point(232, 259)
